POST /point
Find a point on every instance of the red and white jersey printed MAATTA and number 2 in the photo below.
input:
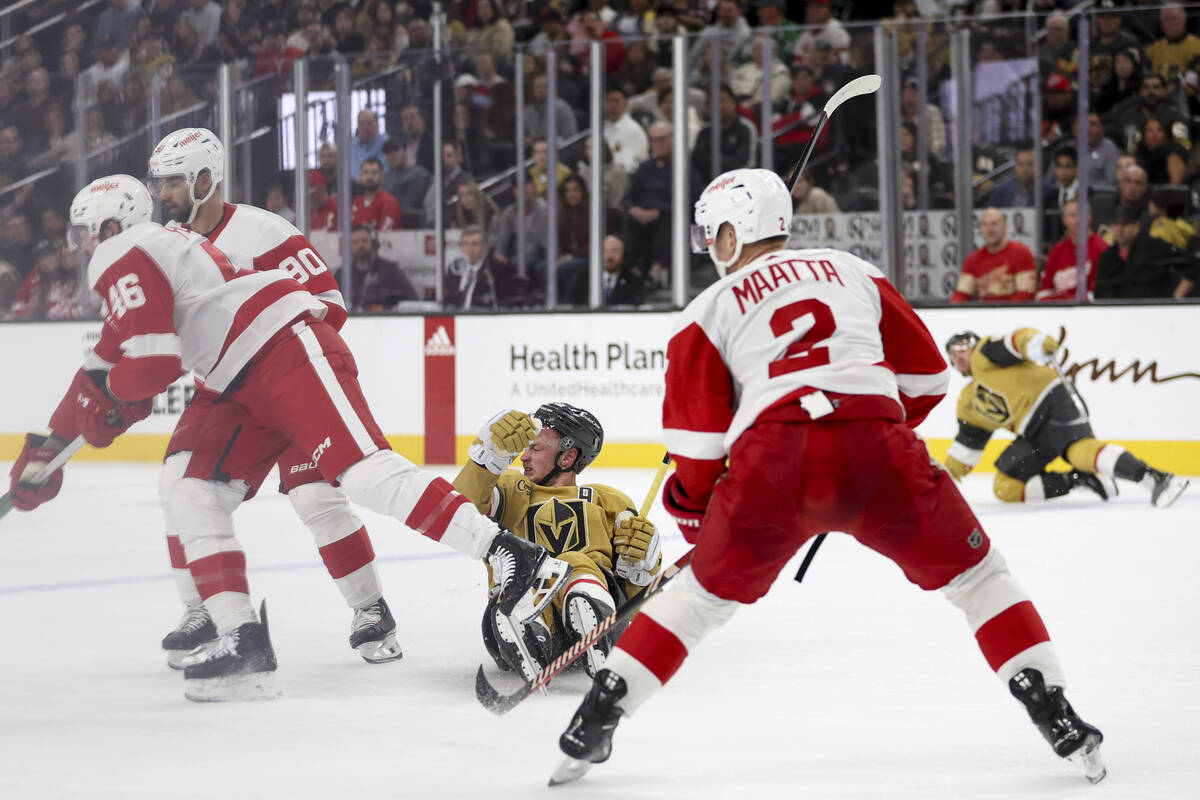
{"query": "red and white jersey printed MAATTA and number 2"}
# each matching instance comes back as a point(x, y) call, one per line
point(813, 329)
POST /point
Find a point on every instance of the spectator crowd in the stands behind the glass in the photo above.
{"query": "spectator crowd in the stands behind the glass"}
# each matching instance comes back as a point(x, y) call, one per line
point(76, 97)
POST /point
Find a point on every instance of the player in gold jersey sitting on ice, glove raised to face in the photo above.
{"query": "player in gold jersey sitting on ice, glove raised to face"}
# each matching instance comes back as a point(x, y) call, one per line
point(595, 528)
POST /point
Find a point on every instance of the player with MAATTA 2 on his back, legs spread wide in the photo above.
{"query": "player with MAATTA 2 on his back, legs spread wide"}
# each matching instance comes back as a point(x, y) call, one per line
point(781, 377)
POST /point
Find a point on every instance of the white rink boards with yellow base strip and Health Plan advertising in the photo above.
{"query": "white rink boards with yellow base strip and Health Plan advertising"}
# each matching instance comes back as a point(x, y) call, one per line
point(434, 381)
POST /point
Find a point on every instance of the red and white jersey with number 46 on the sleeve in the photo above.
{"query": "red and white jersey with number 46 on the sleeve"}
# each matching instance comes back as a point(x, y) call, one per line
point(173, 303)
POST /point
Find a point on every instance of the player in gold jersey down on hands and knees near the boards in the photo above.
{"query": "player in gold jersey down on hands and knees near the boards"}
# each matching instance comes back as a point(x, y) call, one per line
point(1013, 387)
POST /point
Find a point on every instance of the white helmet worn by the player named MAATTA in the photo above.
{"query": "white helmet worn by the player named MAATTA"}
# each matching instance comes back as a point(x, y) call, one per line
point(755, 202)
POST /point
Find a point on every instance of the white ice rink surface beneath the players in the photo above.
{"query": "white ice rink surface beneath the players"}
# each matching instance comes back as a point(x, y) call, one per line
point(853, 685)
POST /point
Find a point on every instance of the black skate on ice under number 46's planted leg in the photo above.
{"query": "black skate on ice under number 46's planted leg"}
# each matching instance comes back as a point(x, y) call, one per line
point(241, 667)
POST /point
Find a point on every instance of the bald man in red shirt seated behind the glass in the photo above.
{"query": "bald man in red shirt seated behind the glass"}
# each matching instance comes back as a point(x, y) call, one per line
point(1000, 272)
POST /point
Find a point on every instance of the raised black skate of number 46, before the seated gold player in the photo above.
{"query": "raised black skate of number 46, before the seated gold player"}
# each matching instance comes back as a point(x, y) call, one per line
point(527, 575)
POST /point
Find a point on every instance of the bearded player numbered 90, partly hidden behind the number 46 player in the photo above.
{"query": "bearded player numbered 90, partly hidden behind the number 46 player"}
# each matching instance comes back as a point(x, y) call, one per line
point(187, 171)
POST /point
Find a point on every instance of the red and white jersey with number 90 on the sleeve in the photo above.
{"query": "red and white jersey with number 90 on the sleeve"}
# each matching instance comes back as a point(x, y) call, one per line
point(268, 242)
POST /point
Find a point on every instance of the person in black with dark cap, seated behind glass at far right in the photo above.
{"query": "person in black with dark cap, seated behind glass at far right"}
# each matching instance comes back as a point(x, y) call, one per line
point(1141, 267)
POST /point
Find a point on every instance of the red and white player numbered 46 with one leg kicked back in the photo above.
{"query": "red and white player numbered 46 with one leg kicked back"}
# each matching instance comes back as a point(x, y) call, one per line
point(175, 303)
